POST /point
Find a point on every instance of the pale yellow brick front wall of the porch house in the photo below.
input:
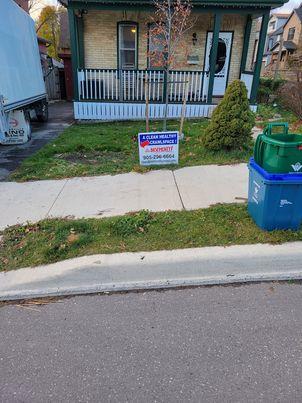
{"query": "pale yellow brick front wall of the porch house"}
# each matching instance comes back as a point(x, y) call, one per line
point(100, 33)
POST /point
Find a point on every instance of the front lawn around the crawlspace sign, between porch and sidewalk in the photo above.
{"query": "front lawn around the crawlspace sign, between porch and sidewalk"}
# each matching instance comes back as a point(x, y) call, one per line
point(111, 148)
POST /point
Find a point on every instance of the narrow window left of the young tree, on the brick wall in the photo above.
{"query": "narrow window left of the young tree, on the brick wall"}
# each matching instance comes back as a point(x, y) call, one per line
point(127, 45)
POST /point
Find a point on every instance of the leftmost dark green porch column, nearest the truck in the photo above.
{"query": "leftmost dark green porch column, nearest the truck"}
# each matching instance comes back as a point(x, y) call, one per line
point(74, 47)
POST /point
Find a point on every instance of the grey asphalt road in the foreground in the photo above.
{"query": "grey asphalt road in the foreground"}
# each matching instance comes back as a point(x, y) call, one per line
point(215, 344)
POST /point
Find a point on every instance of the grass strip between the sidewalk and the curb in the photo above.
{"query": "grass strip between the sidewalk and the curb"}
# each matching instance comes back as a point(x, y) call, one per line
point(53, 240)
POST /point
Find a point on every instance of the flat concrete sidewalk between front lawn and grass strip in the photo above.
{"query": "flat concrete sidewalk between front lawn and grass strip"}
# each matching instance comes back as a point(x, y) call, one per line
point(105, 196)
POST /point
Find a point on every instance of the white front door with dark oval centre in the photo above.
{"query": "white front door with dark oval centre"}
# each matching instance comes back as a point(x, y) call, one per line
point(222, 60)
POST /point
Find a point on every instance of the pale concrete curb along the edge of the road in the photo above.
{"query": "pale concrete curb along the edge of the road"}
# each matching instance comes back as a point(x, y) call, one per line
point(162, 269)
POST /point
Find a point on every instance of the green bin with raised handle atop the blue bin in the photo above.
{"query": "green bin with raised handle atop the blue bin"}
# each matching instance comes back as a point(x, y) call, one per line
point(278, 151)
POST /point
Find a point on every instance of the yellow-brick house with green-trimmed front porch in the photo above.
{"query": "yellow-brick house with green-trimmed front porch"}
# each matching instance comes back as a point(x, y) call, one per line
point(109, 44)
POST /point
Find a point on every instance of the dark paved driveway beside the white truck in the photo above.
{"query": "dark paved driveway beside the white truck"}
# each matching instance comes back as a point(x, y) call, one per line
point(60, 117)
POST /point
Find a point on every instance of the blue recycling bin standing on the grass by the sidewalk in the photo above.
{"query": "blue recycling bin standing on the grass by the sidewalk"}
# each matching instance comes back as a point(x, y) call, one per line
point(274, 200)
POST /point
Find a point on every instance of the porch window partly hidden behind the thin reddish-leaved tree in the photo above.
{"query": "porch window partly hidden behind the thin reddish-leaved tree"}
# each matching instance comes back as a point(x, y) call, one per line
point(156, 47)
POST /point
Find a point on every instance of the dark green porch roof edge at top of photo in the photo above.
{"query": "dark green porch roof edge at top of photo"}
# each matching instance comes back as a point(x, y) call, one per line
point(201, 4)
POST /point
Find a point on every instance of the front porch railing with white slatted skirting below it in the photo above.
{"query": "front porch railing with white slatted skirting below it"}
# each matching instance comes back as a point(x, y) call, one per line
point(111, 94)
